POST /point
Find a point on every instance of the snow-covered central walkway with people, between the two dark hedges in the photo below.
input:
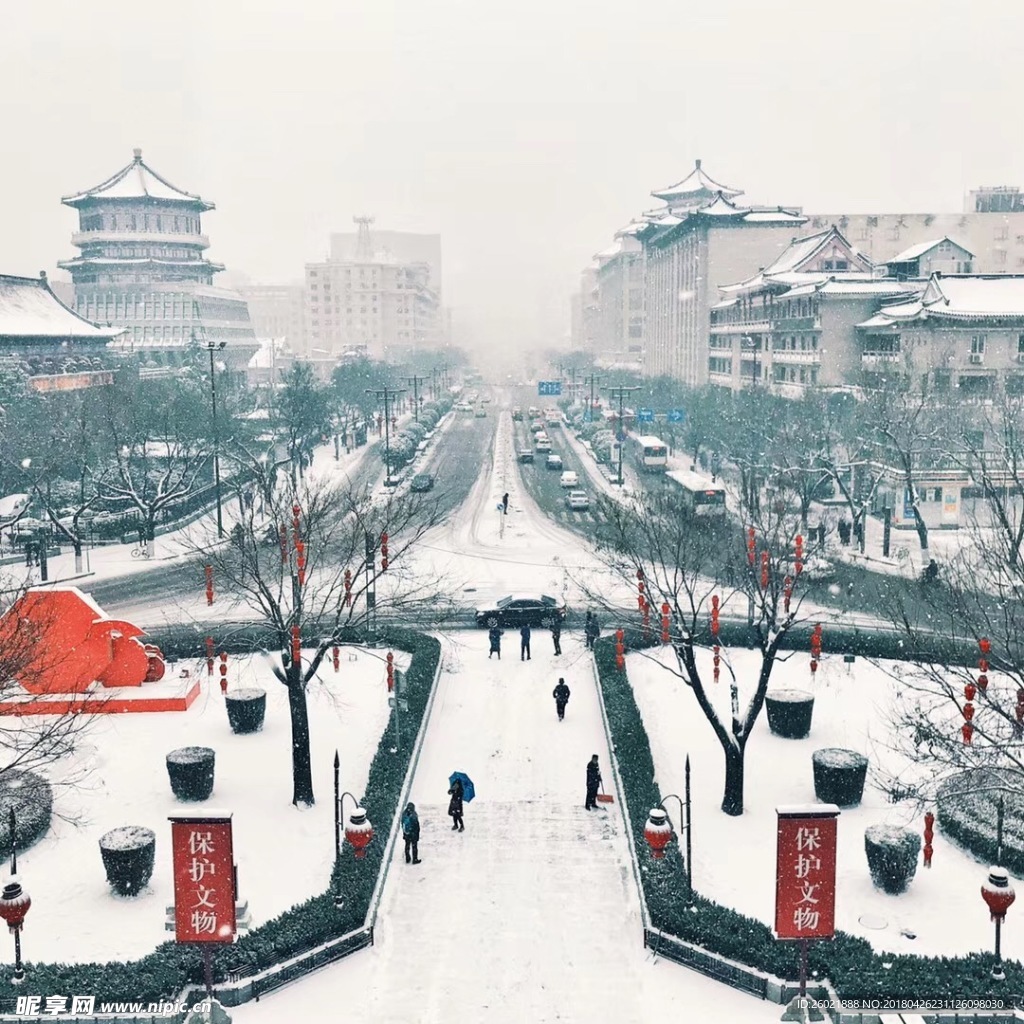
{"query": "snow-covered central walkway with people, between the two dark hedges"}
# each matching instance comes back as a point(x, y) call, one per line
point(532, 914)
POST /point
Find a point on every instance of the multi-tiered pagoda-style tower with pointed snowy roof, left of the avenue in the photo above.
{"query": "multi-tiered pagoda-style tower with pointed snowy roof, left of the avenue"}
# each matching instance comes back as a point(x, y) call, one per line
point(143, 266)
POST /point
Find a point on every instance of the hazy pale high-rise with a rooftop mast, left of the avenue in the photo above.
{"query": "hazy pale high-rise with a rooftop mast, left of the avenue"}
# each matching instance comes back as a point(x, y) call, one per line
point(371, 303)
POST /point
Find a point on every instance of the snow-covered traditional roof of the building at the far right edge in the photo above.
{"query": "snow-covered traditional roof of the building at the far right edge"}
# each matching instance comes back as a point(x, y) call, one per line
point(965, 297)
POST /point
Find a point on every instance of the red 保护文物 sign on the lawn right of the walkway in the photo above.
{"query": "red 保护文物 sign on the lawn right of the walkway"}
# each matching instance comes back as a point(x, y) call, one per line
point(805, 873)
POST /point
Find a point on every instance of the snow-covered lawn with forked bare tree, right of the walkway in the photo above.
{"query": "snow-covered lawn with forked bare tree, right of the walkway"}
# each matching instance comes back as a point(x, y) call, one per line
point(735, 859)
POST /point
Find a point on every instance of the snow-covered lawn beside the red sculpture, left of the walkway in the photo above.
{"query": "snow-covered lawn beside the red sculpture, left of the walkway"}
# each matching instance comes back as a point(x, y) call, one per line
point(284, 855)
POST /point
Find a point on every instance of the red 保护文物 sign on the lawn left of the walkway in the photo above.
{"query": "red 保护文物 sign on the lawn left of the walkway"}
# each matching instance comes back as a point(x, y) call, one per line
point(204, 879)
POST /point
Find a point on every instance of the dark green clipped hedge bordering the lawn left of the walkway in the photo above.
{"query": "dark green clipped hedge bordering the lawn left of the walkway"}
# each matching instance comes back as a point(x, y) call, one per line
point(168, 969)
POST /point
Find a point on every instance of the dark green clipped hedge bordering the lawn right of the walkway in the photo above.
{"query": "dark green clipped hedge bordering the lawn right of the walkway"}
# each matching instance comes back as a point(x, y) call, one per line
point(856, 970)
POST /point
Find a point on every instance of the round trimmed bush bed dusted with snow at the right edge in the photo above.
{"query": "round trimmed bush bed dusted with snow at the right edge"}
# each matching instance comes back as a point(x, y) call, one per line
point(966, 806)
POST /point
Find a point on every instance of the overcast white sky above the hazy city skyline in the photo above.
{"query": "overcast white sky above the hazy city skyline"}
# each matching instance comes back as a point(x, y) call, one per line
point(526, 134)
